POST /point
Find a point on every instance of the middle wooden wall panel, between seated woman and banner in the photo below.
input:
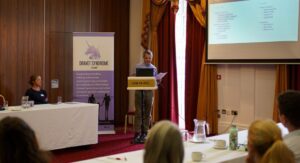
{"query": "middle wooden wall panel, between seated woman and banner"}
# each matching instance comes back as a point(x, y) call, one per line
point(63, 18)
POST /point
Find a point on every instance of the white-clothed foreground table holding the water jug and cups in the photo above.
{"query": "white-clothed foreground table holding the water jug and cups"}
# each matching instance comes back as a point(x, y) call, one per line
point(211, 155)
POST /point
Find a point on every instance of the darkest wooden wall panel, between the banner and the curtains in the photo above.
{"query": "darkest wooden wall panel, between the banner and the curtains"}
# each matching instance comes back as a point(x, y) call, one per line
point(113, 16)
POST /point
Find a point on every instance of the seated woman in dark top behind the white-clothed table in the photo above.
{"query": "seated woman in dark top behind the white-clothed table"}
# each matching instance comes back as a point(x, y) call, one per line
point(36, 93)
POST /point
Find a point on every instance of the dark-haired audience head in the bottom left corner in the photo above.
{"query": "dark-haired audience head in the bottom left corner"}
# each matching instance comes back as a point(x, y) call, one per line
point(18, 143)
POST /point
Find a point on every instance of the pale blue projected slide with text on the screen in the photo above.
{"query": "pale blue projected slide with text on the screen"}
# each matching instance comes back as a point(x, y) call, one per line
point(253, 21)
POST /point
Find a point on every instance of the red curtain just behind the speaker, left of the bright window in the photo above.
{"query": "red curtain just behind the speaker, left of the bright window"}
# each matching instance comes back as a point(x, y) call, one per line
point(168, 99)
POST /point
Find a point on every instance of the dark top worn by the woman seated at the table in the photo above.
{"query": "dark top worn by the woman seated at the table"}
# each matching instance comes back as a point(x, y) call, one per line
point(39, 97)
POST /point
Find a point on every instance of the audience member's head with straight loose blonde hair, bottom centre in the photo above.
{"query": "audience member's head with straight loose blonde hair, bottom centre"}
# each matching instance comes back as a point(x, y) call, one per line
point(164, 144)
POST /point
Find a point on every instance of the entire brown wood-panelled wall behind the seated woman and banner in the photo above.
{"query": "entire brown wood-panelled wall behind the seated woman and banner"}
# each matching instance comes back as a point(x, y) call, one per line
point(36, 38)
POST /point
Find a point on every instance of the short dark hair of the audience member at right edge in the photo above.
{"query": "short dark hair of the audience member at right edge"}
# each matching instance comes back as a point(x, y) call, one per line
point(289, 105)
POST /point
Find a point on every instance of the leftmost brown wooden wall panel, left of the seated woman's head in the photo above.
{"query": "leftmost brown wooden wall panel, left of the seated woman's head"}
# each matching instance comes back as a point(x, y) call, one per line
point(21, 46)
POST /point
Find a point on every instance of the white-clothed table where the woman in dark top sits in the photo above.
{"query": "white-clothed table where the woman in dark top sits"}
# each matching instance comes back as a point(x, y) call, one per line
point(60, 125)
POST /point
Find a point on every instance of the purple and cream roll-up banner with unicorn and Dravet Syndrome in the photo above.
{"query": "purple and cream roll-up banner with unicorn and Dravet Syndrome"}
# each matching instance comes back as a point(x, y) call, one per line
point(93, 74)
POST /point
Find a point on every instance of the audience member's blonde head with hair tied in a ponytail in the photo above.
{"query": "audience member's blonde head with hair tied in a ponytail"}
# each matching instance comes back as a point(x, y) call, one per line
point(265, 144)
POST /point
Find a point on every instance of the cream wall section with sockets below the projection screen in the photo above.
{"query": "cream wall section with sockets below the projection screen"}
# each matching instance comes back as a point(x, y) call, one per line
point(248, 89)
